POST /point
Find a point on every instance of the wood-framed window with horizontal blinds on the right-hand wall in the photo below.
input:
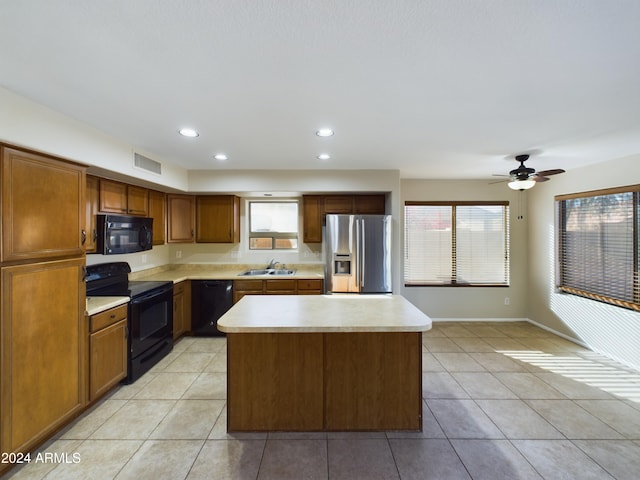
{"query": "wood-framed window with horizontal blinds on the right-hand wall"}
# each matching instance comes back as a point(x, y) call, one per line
point(598, 245)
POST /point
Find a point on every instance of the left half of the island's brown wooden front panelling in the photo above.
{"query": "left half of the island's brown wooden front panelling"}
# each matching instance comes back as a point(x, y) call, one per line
point(275, 381)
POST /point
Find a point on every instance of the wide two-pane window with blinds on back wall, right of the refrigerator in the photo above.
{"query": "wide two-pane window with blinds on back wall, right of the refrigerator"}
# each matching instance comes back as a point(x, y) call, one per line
point(456, 243)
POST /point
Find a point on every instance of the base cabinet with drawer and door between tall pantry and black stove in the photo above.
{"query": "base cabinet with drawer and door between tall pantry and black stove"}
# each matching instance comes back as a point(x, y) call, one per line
point(107, 350)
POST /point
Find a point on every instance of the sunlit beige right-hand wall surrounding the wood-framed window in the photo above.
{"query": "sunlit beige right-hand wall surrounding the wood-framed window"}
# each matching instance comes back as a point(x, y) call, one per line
point(611, 330)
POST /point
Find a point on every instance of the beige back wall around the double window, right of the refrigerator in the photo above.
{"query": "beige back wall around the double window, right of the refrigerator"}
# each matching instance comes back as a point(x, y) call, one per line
point(474, 302)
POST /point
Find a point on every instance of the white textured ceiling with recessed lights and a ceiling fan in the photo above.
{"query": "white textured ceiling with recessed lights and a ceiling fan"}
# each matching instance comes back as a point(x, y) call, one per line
point(434, 88)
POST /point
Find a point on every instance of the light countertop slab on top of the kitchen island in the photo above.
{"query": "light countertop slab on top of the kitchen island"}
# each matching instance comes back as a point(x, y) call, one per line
point(323, 313)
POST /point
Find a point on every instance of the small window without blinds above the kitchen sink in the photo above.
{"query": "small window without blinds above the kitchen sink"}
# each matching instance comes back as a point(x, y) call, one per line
point(273, 225)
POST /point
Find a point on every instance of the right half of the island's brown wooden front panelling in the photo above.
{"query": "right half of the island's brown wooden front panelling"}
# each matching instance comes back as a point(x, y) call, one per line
point(373, 381)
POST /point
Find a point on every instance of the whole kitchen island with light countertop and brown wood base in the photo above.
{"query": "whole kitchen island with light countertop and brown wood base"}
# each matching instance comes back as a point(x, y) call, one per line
point(324, 363)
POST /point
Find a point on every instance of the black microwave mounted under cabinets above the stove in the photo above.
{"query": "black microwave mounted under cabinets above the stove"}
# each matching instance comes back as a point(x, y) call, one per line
point(124, 234)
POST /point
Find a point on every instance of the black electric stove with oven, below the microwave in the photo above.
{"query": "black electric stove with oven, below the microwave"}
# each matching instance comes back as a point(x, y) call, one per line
point(150, 313)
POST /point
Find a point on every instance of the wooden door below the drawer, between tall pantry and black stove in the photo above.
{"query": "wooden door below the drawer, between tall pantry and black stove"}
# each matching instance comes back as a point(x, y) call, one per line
point(108, 358)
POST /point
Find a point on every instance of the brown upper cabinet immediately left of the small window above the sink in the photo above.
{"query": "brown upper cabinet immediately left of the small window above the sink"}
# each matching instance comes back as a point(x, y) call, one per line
point(217, 219)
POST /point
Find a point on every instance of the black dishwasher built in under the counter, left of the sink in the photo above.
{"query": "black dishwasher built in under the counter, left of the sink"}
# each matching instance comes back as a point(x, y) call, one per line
point(210, 299)
